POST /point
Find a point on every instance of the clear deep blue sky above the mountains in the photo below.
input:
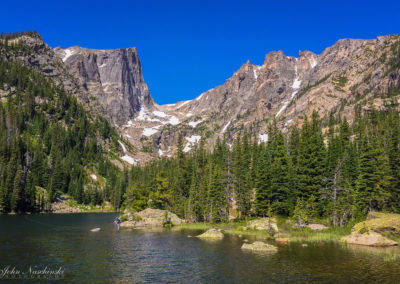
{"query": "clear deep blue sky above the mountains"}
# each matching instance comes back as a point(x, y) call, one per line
point(187, 47)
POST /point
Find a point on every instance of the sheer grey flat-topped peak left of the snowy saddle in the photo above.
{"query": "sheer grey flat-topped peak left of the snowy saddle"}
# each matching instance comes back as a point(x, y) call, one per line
point(112, 77)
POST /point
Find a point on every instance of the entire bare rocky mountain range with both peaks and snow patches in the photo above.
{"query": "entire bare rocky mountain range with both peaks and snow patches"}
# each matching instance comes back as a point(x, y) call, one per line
point(284, 88)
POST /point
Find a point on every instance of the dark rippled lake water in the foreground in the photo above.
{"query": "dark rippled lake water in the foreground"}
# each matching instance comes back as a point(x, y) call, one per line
point(169, 256)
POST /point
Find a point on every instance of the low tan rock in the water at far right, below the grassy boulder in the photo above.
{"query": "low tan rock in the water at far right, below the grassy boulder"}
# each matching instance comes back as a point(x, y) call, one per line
point(368, 239)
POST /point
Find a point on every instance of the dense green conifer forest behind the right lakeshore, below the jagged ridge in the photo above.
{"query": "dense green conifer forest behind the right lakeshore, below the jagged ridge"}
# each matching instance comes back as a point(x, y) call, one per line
point(326, 168)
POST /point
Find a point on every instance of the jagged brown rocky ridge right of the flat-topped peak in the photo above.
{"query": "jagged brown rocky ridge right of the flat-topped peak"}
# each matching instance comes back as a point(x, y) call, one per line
point(352, 71)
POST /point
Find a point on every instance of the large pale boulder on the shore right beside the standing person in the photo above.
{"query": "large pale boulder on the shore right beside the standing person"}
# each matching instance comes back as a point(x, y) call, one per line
point(150, 218)
